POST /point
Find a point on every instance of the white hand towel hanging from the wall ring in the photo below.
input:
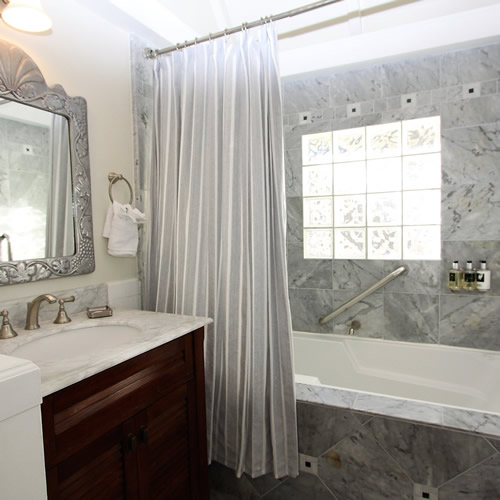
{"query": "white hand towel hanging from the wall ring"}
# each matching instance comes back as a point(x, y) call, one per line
point(121, 229)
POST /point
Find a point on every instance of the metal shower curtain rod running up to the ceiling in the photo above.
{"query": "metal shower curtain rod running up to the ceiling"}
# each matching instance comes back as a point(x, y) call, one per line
point(152, 53)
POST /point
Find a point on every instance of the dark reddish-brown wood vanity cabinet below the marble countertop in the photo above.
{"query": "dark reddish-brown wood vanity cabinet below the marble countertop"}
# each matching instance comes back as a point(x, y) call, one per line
point(135, 431)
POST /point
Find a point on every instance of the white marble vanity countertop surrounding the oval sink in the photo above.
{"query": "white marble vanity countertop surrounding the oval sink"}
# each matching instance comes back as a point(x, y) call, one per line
point(155, 329)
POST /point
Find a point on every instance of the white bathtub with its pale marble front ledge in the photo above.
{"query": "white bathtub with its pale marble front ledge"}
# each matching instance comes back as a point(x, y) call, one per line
point(452, 386)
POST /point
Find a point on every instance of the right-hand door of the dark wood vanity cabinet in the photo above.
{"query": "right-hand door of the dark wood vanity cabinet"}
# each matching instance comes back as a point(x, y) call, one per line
point(165, 463)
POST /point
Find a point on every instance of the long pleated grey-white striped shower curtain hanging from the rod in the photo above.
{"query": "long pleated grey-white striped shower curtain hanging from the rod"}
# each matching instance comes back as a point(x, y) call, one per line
point(218, 239)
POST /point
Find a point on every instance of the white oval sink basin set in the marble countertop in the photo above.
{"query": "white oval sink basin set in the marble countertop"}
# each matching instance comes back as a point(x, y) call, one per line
point(77, 342)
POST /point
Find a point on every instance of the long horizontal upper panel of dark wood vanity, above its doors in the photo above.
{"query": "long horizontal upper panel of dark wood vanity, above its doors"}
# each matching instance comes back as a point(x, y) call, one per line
point(79, 413)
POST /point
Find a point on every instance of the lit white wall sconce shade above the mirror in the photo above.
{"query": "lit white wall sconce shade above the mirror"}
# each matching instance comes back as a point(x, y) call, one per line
point(26, 15)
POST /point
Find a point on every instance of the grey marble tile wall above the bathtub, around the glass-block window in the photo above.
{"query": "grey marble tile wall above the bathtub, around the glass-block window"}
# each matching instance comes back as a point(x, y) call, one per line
point(418, 307)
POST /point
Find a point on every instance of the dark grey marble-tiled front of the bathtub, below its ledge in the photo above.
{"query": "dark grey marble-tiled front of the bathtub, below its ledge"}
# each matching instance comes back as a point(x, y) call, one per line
point(362, 456)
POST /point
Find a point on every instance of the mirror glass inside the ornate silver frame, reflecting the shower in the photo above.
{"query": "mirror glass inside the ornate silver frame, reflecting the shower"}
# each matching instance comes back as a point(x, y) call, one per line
point(35, 184)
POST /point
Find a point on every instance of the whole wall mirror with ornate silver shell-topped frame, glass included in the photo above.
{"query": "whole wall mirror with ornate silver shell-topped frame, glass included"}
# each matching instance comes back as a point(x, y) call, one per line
point(45, 203)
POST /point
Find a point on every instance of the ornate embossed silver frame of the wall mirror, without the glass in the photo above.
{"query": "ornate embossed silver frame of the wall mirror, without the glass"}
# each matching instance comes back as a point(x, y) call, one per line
point(22, 81)
